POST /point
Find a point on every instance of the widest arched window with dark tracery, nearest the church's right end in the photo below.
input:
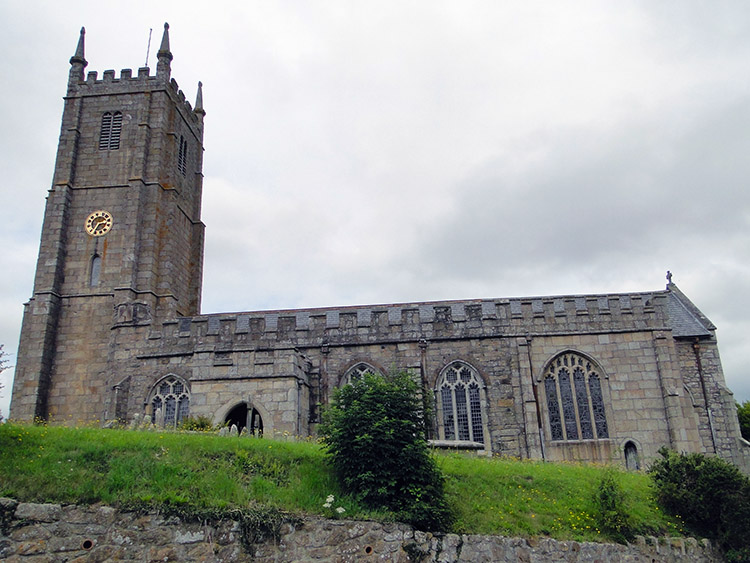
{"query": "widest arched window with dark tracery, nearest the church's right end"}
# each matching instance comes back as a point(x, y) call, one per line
point(575, 405)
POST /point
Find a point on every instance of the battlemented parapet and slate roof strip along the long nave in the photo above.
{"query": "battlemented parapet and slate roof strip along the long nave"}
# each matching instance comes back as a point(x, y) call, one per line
point(440, 320)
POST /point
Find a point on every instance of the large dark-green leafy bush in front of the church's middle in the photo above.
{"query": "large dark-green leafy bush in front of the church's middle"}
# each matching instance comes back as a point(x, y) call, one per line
point(374, 433)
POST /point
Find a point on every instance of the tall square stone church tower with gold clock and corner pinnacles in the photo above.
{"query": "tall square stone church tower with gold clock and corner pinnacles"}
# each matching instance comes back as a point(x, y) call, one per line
point(122, 238)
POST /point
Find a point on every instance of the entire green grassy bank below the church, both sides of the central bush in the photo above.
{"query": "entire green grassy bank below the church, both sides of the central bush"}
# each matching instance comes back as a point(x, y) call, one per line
point(206, 472)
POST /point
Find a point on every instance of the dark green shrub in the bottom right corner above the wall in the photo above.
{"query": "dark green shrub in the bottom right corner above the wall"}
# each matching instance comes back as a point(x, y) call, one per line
point(709, 494)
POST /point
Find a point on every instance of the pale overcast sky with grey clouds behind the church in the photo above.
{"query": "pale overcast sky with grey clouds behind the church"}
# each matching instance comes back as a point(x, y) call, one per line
point(373, 152)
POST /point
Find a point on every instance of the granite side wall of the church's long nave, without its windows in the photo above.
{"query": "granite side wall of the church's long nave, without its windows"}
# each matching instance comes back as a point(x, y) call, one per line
point(287, 363)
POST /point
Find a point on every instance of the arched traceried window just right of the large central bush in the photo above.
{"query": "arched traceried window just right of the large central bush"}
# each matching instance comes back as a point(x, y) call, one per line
point(460, 401)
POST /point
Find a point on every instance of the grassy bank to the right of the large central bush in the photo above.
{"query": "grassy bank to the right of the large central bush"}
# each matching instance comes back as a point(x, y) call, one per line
point(534, 498)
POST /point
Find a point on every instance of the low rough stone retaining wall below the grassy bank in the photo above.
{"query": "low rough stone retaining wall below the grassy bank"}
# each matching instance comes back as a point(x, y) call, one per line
point(50, 532)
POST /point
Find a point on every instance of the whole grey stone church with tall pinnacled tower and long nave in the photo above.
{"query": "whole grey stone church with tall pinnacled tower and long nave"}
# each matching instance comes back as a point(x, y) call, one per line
point(114, 328)
